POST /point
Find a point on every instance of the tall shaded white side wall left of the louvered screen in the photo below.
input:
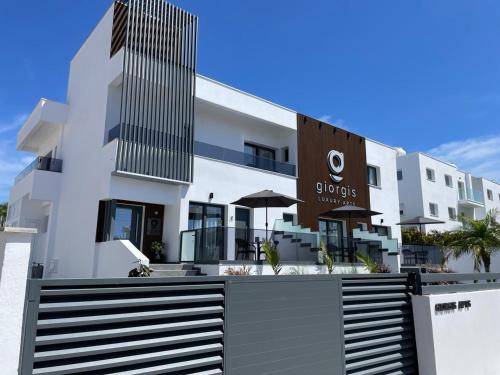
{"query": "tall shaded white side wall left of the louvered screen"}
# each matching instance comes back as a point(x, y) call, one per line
point(86, 176)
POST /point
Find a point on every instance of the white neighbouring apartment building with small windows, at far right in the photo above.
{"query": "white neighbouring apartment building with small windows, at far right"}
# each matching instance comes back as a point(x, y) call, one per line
point(437, 189)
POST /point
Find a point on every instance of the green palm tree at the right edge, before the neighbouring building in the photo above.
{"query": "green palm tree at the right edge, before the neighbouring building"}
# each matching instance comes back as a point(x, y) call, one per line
point(479, 238)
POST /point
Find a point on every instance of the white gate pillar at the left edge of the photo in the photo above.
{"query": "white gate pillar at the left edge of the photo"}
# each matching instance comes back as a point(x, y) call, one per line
point(15, 252)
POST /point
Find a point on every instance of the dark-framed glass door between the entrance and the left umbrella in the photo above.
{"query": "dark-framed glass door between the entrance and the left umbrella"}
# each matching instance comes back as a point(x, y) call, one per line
point(208, 222)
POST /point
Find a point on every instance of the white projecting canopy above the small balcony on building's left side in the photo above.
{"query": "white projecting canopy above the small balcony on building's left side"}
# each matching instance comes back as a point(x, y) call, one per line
point(43, 125)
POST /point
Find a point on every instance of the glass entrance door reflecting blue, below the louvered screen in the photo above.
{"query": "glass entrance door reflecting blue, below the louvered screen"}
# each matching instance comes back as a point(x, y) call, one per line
point(128, 223)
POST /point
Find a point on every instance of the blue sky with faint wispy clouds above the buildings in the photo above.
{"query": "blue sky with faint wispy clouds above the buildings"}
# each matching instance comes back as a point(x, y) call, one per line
point(423, 75)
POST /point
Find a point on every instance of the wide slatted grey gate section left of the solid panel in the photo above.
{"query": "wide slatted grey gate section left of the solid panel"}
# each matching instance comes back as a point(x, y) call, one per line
point(124, 326)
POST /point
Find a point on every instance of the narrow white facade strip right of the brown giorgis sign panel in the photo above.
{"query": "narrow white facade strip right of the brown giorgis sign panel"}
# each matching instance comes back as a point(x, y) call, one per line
point(385, 198)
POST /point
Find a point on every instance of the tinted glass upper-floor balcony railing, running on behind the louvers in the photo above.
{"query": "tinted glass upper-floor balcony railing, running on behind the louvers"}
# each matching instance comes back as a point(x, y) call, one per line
point(216, 152)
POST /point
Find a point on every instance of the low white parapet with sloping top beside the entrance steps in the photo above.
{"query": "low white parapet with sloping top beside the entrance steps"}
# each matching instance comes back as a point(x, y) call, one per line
point(117, 258)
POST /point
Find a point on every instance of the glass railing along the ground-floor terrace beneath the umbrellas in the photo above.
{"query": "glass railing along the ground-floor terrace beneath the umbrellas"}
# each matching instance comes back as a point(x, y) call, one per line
point(212, 245)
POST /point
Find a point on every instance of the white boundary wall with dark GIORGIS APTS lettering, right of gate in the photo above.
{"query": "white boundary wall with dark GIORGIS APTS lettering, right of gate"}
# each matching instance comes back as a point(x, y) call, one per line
point(458, 342)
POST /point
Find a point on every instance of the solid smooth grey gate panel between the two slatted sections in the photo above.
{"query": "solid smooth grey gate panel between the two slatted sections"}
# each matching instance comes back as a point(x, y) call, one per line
point(283, 325)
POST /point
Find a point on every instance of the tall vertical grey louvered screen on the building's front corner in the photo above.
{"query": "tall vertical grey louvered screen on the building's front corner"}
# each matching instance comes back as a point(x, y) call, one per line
point(158, 87)
